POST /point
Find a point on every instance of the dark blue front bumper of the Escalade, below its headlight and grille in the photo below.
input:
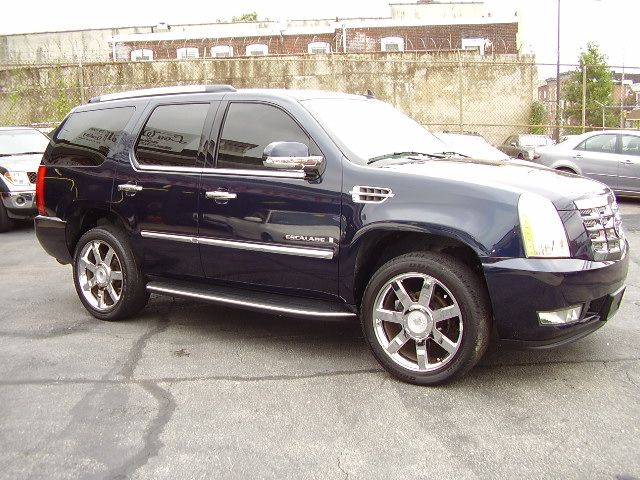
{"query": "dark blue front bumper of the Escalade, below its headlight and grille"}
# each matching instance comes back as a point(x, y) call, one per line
point(519, 288)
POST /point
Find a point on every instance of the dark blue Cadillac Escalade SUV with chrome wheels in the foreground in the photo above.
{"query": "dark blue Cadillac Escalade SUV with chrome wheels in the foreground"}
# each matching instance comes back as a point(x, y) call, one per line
point(156, 191)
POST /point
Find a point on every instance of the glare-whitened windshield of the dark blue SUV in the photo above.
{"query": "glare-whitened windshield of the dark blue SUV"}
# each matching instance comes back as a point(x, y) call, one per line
point(366, 129)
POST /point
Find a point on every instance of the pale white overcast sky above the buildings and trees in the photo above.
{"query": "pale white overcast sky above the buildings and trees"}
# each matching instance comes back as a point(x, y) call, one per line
point(608, 22)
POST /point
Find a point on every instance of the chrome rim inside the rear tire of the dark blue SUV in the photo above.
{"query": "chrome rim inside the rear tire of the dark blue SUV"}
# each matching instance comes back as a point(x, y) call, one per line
point(99, 274)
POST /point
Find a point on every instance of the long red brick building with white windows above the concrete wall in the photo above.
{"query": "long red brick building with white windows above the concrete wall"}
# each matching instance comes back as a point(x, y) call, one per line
point(486, 35)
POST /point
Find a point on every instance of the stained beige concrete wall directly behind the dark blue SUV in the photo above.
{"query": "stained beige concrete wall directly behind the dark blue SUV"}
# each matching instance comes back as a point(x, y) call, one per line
point(450, 91)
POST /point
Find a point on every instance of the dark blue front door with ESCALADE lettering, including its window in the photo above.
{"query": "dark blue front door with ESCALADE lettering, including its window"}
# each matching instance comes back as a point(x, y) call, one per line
point(264, 228)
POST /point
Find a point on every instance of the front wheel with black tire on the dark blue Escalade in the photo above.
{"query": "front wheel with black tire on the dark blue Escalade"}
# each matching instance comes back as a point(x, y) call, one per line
point(454, 285)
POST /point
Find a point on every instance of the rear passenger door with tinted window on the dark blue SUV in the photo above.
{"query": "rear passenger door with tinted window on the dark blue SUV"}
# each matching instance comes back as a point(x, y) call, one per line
point(157, 192)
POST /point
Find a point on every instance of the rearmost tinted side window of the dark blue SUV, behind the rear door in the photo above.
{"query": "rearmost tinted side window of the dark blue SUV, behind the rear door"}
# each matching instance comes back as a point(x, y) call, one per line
point(86, 138)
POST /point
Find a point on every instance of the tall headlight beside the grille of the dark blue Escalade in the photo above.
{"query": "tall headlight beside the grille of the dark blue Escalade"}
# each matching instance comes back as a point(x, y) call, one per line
point(543, 234)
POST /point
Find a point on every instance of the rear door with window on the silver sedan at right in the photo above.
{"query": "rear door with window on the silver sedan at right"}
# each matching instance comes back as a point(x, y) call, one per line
point(597, 157)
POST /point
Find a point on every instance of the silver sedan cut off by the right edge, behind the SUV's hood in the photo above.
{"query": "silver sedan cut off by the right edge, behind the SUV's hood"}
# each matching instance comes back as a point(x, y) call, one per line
point(610, 156)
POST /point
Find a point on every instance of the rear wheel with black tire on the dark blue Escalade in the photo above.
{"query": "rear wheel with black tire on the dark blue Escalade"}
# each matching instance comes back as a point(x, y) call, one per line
point(120, 271)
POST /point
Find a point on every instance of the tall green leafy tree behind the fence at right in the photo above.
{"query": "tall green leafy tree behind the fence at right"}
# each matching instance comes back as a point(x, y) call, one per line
point(599, 91)
